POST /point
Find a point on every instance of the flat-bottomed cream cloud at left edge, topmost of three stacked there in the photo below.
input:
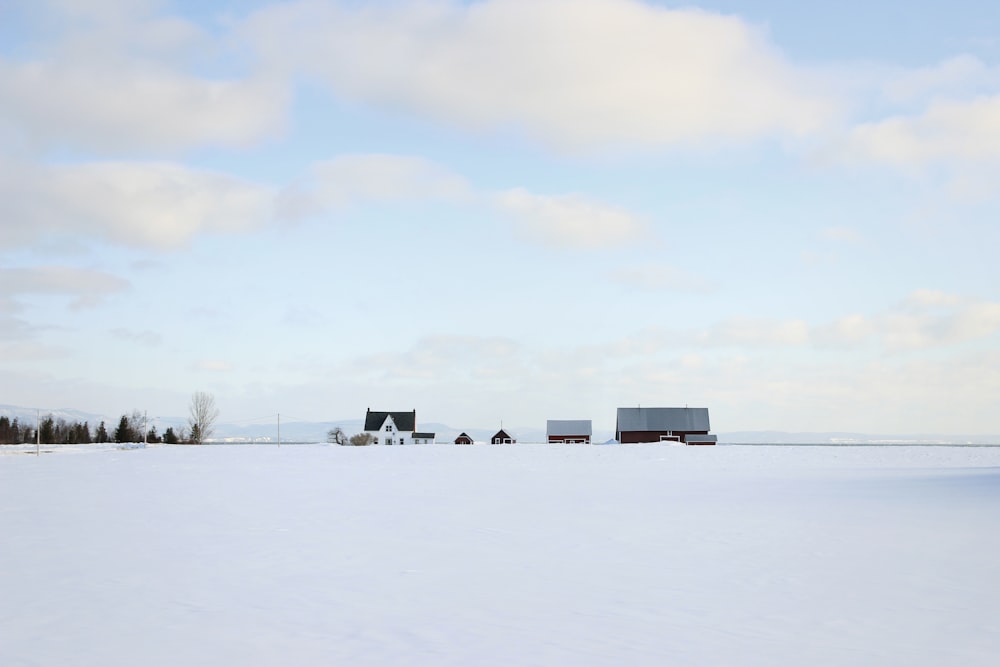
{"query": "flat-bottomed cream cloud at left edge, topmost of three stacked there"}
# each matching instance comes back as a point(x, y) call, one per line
point(132, 106)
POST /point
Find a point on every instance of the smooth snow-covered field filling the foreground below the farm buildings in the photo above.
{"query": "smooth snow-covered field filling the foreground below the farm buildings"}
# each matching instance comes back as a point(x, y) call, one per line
point(516, 555)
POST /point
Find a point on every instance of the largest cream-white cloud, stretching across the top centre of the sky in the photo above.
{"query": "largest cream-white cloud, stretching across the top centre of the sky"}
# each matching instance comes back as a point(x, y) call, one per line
point(575, 74)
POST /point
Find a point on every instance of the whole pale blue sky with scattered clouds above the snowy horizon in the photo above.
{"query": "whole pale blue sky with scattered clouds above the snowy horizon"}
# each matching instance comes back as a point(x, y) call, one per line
point(504, 210)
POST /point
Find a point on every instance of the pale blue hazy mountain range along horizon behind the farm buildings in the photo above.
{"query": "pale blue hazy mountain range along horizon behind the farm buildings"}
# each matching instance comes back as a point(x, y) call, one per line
point(299, 431)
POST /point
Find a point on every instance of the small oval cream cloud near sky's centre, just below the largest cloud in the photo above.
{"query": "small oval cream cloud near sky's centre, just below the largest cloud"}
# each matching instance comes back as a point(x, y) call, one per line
point(569, 220)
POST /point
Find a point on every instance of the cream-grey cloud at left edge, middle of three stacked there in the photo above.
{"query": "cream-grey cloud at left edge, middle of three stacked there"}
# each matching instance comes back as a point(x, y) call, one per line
point(142, 204)
